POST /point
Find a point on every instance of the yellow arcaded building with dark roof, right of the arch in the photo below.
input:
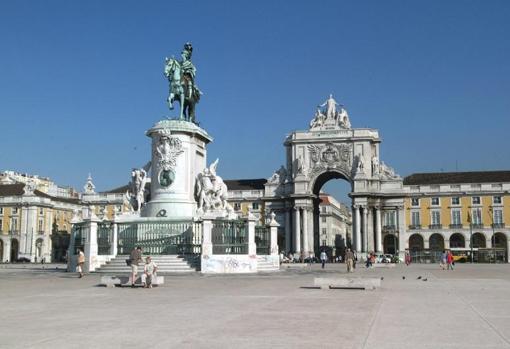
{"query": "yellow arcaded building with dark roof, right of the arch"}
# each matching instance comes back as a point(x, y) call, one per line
point(467, 212)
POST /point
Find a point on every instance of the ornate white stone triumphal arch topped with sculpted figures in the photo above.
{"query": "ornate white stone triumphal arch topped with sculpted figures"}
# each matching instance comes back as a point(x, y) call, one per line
point(332, 149)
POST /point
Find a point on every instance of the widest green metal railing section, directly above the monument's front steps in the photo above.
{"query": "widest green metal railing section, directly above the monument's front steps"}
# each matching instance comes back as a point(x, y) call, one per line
point(160, 238)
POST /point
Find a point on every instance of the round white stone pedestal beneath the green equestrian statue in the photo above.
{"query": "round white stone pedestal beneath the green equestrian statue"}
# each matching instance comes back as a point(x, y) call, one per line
point(178, 155)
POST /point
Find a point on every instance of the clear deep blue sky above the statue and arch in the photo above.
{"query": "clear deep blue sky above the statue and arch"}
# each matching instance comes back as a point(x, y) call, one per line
point(81, 81)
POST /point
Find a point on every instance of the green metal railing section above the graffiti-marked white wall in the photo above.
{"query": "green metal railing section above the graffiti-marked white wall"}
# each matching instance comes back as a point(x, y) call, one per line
point(230, 237)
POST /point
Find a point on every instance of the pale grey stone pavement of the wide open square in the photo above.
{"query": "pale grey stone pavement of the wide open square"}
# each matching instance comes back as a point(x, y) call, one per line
point(465, 308)
